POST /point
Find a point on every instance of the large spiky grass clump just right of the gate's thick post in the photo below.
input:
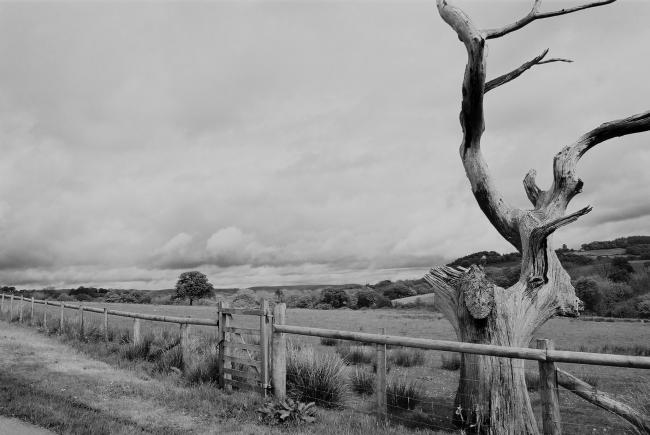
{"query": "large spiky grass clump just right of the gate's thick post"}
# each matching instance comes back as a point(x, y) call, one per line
point(316, 377)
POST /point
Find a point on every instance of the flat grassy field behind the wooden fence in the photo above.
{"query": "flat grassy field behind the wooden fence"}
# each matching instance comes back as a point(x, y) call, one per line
point(629, 385)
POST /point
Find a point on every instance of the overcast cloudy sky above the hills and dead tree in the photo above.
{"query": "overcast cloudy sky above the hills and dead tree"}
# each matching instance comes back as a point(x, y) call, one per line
point(268, 142)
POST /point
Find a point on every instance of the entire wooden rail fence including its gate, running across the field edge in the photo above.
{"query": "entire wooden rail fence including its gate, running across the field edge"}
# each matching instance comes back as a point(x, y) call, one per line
point(264, 349)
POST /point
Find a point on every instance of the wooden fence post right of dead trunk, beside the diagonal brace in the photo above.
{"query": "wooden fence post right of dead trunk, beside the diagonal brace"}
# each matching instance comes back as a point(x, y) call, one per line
point(549, 393)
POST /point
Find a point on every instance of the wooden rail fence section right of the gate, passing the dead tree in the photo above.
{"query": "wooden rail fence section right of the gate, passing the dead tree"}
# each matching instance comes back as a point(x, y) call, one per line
point(550, 376)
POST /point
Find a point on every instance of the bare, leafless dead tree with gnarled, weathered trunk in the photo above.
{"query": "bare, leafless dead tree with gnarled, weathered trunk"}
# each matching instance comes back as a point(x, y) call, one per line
point(492, 396)
